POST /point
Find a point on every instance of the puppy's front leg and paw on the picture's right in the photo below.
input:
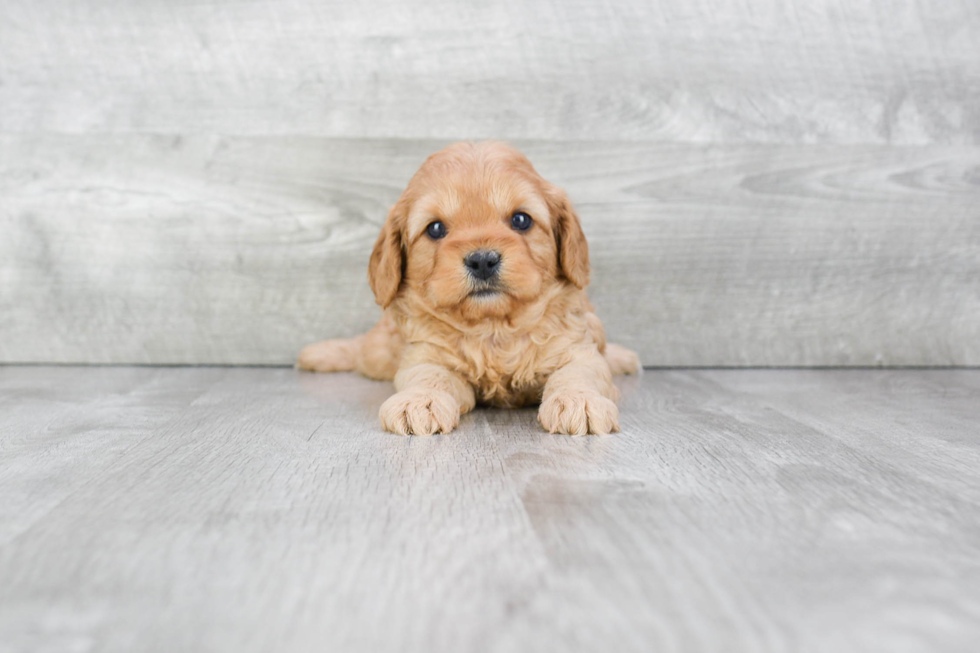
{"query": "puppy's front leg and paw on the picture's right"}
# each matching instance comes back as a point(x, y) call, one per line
point(580, 398)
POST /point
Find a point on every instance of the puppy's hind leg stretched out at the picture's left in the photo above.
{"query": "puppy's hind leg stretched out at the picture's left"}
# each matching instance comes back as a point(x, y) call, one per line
point(376, 354)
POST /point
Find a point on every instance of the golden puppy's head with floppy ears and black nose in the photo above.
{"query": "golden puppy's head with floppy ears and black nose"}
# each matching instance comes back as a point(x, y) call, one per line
point(478, 232)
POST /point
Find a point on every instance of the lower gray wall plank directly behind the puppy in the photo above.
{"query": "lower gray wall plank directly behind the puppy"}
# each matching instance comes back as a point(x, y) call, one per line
point(213, 249)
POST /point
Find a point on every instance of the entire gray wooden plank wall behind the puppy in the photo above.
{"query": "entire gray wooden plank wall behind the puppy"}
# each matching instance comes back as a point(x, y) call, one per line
point(775, 182)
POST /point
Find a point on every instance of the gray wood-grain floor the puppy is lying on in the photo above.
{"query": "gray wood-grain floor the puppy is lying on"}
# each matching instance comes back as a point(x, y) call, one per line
point(262, 509)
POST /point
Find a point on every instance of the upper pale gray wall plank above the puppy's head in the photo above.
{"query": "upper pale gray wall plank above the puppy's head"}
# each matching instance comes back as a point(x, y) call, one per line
point(867, 71)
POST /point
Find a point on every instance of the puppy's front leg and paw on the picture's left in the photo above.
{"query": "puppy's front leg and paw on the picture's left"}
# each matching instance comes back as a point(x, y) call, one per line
point(429, 400)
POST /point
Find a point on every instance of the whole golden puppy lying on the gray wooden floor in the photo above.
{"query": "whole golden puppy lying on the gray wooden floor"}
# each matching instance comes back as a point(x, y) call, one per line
point(481, 268)
